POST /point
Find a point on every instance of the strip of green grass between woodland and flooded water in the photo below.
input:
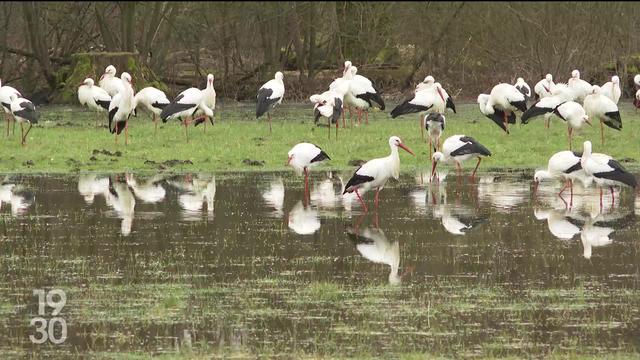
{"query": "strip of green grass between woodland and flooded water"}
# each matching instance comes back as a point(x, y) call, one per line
point(65, 138)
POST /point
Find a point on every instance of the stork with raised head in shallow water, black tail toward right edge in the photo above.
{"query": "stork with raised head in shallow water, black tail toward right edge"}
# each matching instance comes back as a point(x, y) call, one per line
point(605, 173)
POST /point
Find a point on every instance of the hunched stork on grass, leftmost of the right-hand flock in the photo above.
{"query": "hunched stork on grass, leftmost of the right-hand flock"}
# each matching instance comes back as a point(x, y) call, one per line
point(500, 105)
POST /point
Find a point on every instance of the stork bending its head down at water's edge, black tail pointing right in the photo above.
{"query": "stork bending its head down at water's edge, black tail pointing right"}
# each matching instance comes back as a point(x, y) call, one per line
point(457, 149)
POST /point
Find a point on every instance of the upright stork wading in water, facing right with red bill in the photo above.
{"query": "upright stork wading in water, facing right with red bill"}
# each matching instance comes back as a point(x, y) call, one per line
point(375, 173)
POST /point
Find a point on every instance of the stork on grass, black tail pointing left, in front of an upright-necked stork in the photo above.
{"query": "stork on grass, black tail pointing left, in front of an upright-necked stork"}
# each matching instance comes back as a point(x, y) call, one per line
point(185, 106)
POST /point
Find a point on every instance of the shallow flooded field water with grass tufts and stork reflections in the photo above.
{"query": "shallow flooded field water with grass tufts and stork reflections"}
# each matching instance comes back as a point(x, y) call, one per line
point(240, 265)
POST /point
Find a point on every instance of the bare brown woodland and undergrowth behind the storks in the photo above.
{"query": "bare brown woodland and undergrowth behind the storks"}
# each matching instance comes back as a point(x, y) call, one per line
point(467, 46)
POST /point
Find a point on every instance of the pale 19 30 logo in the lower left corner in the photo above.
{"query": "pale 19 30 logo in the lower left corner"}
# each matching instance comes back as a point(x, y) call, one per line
point(46, 329)
